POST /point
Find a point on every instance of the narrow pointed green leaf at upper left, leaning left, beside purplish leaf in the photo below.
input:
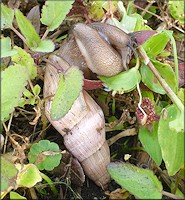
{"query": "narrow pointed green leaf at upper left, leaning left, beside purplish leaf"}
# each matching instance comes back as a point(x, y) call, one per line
point(27, 29)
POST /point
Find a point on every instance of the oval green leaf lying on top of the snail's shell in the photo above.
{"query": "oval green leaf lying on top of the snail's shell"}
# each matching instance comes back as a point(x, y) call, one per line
point(68, 91)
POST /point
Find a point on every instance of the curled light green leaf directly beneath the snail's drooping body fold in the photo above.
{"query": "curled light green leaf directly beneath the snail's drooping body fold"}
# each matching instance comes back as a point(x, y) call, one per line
point(123, 82)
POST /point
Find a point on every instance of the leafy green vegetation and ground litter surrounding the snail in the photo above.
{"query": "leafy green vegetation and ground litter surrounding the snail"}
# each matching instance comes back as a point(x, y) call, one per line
point(144, 103)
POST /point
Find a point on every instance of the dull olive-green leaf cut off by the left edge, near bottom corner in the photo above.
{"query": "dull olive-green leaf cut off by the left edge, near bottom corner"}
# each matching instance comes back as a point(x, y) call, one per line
point(8, 174)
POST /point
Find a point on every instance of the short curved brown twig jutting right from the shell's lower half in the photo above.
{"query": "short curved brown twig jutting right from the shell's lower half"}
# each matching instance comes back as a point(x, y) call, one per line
point(128, 132)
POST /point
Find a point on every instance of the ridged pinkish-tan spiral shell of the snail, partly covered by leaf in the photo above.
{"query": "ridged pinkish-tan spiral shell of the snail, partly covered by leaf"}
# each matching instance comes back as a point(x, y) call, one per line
point(83, 128)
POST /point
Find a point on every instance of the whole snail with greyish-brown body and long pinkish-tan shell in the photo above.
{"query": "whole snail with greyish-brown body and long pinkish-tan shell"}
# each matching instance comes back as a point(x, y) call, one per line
point(83, 127)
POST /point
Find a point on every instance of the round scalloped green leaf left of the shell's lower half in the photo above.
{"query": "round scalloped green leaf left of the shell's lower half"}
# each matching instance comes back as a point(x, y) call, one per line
point(45, 155)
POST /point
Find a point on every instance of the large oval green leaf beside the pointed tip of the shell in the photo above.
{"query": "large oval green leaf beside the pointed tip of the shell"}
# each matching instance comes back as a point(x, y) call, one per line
point(140, 182)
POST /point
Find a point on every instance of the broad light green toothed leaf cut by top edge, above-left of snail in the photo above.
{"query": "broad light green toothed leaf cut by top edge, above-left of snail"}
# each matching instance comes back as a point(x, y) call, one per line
point(54, 12)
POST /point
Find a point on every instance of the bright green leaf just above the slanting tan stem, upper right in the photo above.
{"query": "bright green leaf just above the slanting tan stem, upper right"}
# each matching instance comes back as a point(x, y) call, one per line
point(156, 43)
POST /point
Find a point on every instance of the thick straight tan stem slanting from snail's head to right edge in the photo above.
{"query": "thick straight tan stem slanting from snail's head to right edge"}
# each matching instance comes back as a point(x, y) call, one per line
point(163, 83)
